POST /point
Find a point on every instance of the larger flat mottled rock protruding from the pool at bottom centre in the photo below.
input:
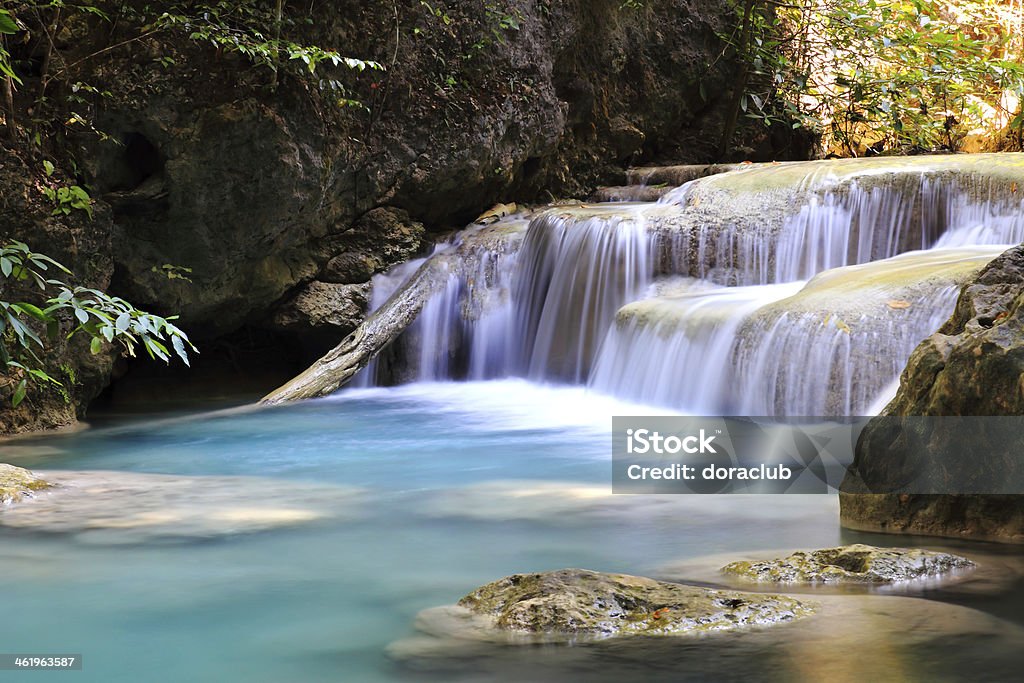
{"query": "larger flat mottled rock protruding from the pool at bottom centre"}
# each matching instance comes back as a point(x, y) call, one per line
point(582, 603)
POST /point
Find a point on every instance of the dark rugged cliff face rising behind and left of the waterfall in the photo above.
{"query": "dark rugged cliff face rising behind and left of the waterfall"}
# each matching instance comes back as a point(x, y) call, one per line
point(276, 197)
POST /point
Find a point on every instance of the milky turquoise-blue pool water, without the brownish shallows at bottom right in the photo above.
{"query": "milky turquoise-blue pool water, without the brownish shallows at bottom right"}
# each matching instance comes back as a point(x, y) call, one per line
point(442, 488)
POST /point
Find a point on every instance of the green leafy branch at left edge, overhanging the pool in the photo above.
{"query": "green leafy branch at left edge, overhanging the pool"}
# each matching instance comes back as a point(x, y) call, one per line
point(102, 318)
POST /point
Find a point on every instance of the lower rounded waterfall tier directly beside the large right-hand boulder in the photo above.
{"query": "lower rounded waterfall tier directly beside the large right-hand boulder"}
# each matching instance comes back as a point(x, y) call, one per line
point(830, 347)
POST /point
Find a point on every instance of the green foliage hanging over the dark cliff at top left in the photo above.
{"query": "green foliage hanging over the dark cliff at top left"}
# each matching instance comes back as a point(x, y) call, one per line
point(261, 31)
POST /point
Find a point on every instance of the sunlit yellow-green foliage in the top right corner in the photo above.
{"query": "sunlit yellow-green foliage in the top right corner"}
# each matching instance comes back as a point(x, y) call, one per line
point(905, 75)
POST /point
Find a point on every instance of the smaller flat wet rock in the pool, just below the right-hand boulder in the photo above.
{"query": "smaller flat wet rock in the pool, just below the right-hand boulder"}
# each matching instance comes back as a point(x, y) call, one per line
point(856, 564)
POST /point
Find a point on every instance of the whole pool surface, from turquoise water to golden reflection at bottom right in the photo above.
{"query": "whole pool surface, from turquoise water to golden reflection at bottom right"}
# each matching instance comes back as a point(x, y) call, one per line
point(301, 544)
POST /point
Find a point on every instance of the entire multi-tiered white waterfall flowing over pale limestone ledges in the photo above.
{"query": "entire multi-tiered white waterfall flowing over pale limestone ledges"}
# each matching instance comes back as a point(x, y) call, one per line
point(756, 292)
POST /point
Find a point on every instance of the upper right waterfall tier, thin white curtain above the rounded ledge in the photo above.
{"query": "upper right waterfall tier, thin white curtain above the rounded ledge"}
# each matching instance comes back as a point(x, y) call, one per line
point(841, 224)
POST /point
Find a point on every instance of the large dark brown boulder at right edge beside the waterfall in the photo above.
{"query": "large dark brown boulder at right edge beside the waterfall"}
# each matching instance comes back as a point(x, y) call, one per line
point(971, 367)
